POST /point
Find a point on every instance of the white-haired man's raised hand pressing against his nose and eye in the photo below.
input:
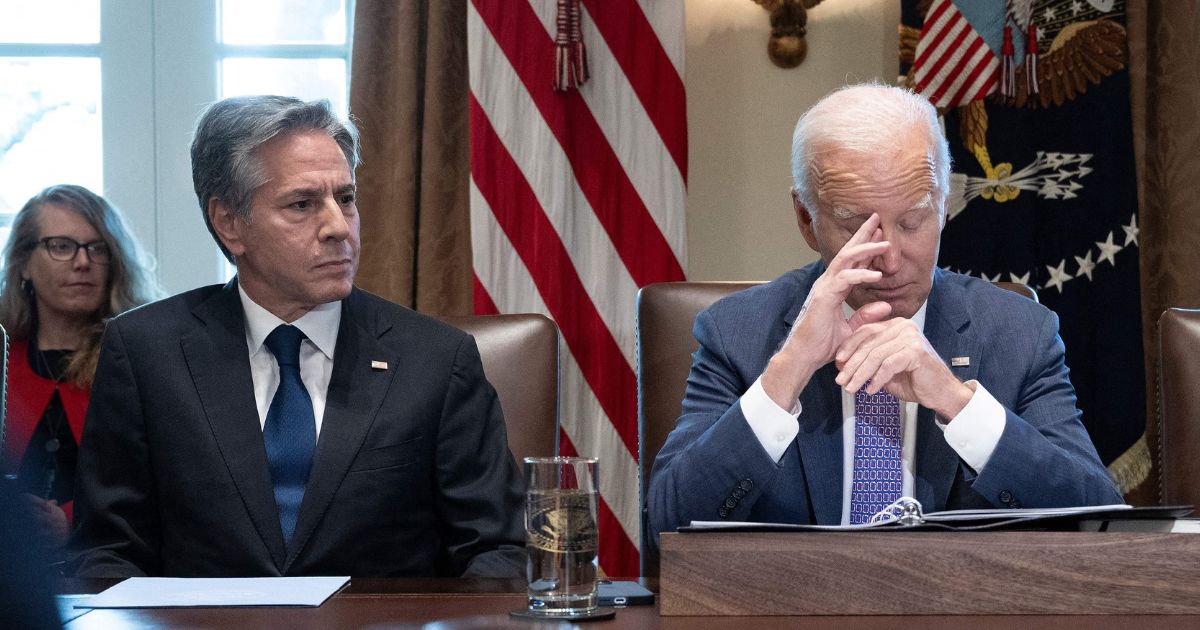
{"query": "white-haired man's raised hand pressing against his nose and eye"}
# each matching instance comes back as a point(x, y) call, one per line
point(821, 328)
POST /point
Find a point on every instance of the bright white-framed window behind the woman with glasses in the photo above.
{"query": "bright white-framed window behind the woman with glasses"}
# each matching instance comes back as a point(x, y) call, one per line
point(106, 94)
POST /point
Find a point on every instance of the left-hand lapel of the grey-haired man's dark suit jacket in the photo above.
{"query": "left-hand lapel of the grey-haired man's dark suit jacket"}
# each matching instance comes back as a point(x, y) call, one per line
point(219, 364)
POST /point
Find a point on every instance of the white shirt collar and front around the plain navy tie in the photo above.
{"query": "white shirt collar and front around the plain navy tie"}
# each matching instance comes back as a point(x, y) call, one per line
point(316, 353)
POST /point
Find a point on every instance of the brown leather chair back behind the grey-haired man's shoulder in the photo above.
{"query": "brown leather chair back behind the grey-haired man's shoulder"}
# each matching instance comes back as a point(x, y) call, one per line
point(520, 355)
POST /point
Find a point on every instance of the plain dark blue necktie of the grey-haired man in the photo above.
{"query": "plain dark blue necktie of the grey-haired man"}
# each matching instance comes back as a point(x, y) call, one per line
point(291, 429)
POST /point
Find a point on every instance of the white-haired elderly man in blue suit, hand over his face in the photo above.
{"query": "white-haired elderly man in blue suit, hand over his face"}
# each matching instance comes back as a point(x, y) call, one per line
point(872, 375)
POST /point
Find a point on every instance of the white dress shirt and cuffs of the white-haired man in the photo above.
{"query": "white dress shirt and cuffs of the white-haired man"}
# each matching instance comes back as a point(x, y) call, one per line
point(974, 434)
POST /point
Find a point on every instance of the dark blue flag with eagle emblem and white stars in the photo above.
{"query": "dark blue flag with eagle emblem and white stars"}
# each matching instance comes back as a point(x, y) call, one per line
point(1036, 103)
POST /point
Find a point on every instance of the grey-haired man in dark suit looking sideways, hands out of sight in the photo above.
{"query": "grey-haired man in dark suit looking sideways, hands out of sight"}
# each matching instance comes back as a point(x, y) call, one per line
point(289, 423)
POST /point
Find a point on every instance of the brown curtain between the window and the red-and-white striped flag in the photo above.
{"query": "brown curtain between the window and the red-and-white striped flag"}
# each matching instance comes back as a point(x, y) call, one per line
point(409, 93)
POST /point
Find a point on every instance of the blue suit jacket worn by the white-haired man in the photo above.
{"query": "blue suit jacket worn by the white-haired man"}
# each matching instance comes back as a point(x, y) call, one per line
point(712, 460)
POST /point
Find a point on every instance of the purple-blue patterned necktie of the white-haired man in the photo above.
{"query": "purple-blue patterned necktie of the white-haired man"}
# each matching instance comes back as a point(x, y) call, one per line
point(878, 481)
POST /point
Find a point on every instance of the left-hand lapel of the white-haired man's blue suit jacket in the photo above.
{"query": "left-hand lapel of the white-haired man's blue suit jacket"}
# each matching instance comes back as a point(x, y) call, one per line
point(820, 440)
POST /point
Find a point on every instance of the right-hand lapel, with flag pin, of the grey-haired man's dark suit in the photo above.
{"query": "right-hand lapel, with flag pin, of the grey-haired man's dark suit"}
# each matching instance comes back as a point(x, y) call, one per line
point(356, 393)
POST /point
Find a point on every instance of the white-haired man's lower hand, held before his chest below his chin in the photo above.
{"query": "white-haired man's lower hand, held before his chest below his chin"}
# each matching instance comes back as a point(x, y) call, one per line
point(897, 357)
